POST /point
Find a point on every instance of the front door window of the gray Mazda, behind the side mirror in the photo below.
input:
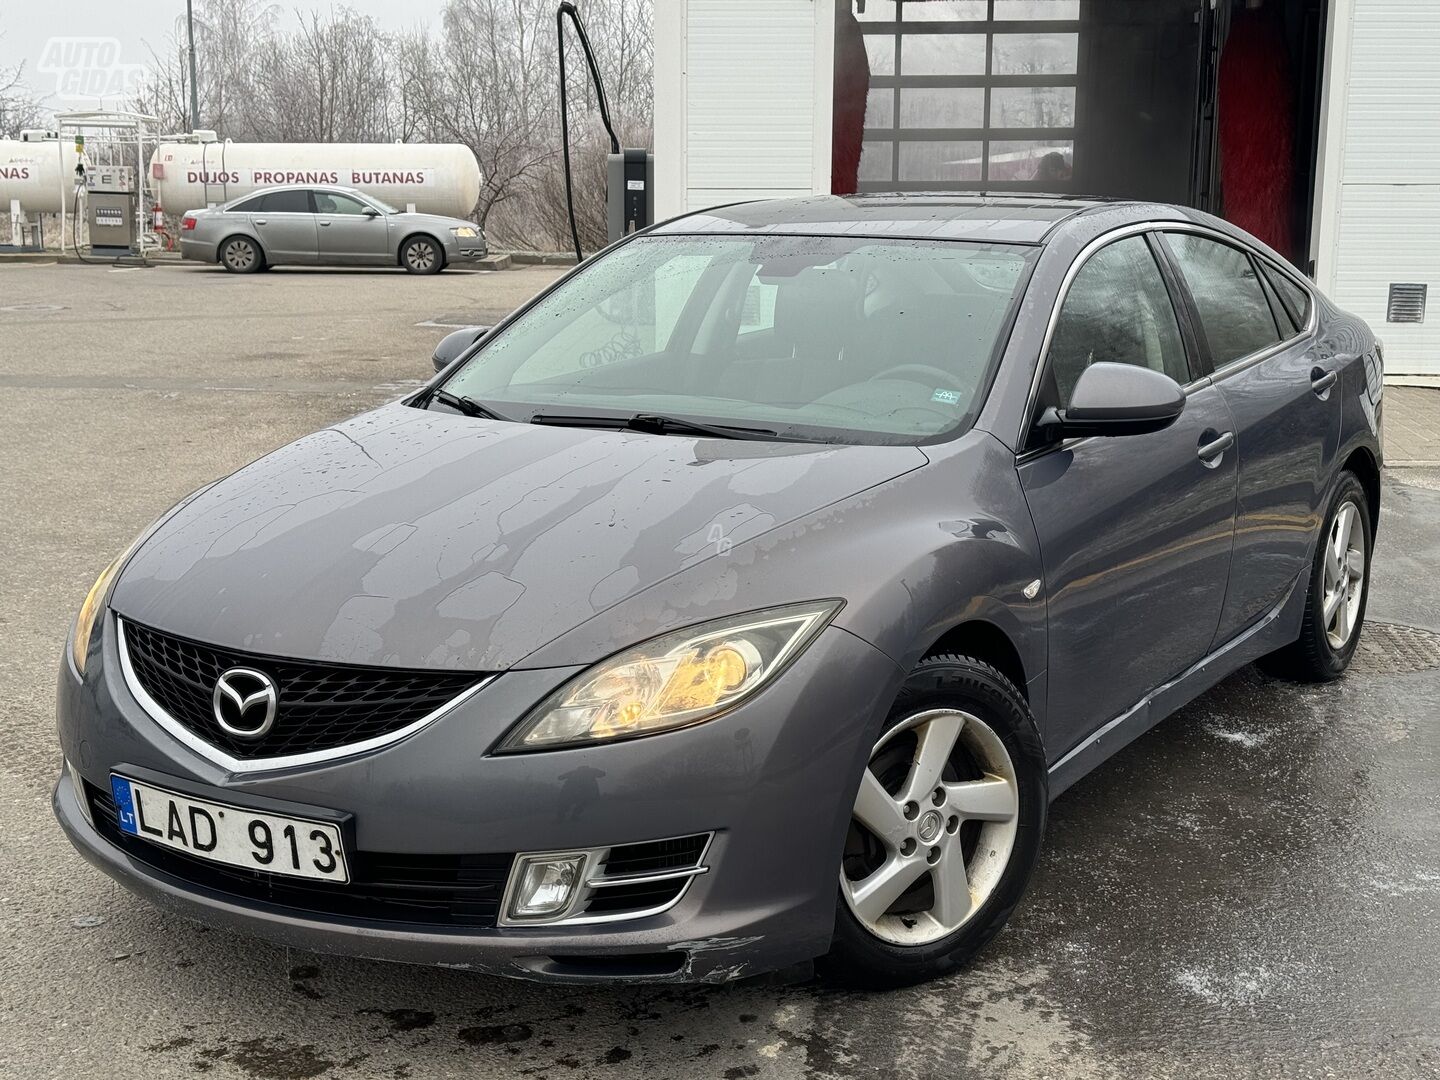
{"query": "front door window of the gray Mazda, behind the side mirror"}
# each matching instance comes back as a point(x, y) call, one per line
point(1118, 312)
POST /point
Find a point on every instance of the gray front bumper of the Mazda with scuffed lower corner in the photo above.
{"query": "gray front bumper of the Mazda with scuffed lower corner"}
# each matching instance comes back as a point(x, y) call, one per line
point(773, 780)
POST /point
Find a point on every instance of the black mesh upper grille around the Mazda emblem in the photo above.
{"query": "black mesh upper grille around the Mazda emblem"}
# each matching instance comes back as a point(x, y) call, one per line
point(320, 706)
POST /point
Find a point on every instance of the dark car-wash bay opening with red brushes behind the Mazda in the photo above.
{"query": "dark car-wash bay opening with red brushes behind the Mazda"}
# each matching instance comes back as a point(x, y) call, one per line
point(1166, 100)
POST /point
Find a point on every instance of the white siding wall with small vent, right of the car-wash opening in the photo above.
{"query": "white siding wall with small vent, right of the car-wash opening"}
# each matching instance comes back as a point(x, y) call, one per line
point(1389, 208)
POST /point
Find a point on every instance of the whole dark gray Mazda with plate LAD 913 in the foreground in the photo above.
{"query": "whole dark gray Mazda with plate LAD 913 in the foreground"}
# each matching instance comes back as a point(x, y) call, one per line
point(741, 601)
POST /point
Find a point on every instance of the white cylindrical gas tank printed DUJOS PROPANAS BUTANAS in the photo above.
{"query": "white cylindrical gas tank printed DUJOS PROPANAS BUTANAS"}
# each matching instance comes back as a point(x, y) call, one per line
point(434, 178)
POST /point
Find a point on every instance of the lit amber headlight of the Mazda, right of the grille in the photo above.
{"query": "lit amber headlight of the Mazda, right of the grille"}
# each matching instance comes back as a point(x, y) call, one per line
point(672, 682)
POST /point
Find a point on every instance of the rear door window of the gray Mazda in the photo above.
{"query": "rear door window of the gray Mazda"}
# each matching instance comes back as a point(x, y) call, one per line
point(1229, 297)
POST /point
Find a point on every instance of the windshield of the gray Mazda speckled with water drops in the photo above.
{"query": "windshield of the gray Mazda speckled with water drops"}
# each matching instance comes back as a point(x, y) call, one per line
point(832, 339)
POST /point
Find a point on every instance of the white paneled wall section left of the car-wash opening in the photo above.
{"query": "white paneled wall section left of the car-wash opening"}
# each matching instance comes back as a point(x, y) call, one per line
point(742, 102)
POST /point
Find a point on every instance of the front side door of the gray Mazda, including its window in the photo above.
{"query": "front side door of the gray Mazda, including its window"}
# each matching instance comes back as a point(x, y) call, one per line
point(1135, 532)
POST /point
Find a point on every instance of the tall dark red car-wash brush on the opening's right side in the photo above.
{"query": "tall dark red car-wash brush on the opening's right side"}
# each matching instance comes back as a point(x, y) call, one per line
point(1258, 129)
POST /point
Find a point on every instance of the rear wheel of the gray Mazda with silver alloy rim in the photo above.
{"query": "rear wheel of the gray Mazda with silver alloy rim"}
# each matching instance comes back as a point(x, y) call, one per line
point(1337, 594)
